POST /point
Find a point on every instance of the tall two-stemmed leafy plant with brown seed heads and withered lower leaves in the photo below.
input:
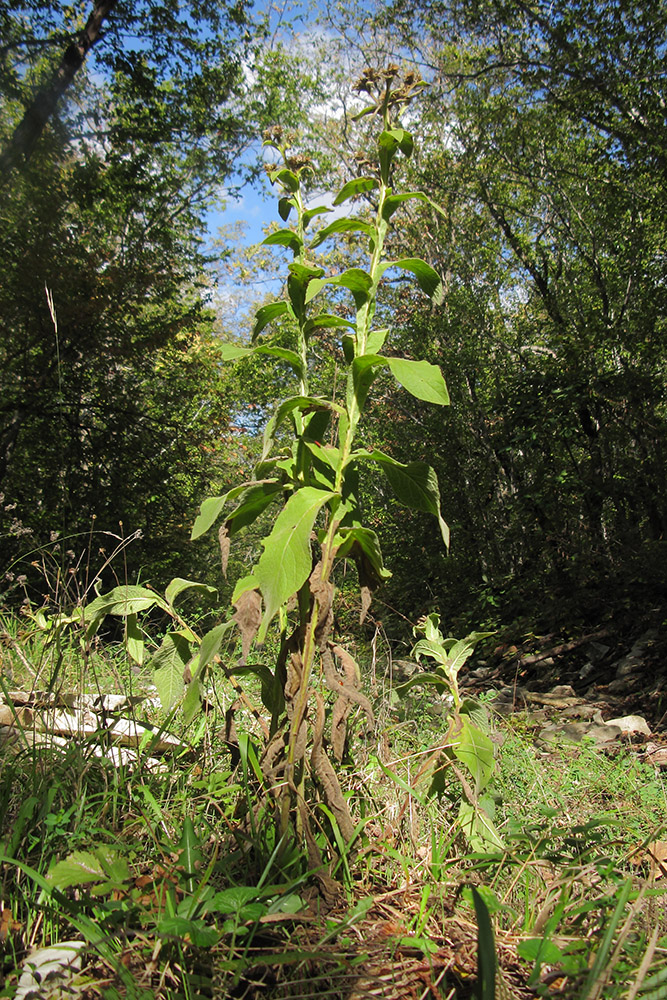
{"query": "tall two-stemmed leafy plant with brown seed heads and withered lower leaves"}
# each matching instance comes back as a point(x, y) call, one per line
point(319, 521)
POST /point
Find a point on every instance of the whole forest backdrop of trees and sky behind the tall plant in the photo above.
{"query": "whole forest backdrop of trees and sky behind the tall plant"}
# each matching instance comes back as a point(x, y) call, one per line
point(541, 139)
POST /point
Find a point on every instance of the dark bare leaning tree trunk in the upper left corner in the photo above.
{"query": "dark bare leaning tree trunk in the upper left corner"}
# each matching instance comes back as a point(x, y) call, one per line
point(43, 104)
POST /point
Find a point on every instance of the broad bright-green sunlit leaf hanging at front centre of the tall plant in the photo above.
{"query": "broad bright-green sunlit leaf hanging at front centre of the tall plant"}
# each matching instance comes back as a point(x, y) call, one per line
point(286, 562)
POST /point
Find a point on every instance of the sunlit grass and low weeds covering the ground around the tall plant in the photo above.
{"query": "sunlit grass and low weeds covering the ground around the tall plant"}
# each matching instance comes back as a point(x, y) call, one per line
point(168, 866)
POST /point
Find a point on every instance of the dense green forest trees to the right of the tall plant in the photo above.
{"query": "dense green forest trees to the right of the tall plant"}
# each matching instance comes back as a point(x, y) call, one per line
point(536, 180)
